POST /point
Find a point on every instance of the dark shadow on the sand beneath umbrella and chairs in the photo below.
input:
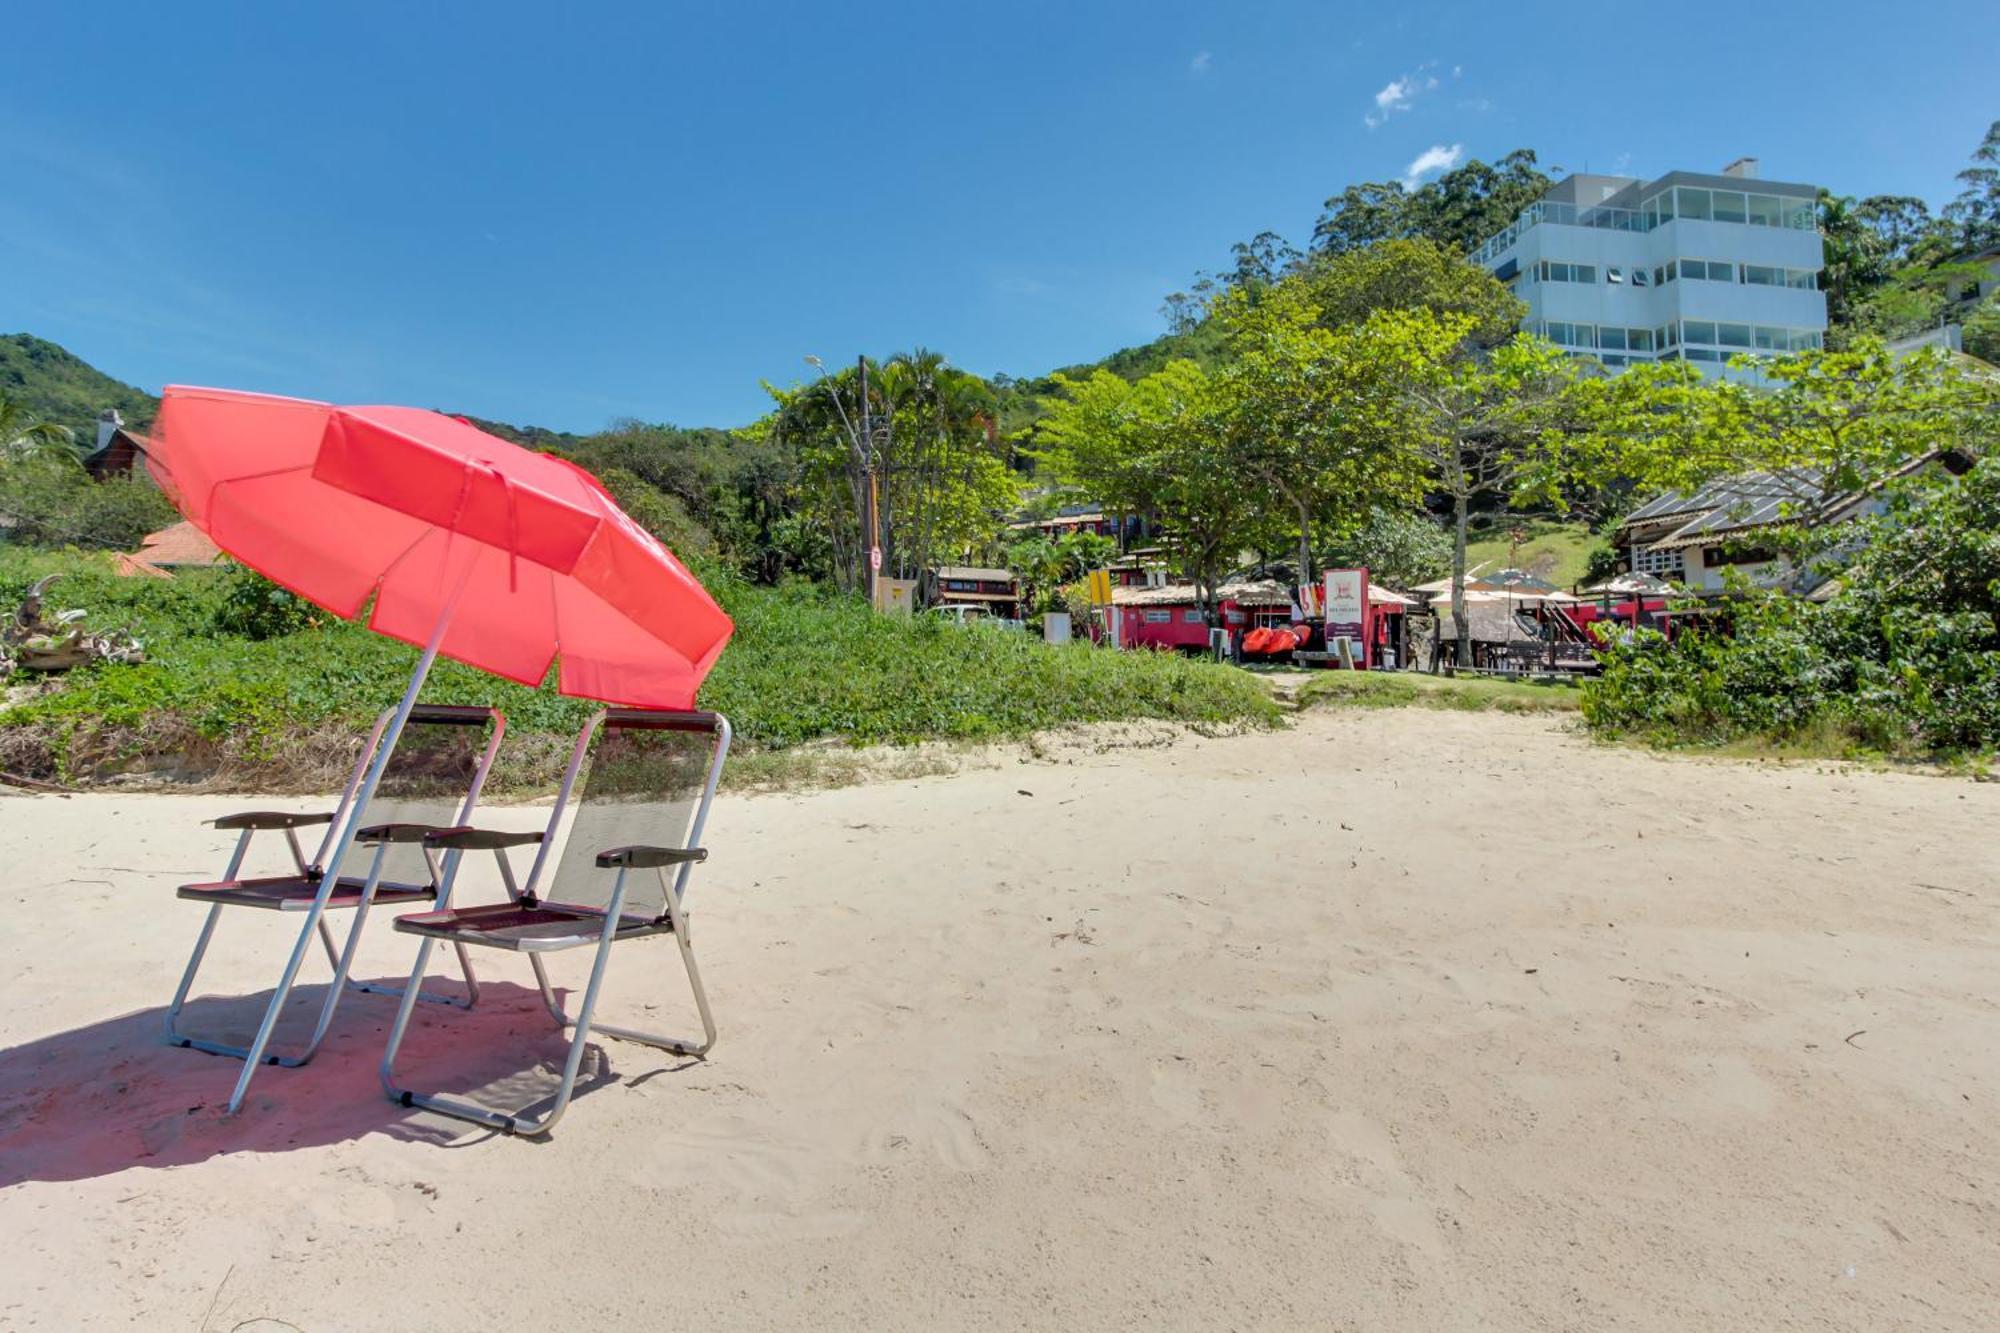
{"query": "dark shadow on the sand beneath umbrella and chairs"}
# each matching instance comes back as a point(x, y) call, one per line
point(113, 1096)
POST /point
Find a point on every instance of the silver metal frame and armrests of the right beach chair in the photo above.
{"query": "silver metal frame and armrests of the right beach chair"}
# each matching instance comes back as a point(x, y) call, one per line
point(611, 928)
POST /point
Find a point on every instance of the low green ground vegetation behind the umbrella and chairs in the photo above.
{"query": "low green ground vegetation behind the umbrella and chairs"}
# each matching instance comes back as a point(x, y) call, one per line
point(271, 714)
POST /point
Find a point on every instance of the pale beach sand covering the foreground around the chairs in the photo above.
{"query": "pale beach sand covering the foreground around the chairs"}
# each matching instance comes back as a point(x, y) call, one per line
point(1393, 1022)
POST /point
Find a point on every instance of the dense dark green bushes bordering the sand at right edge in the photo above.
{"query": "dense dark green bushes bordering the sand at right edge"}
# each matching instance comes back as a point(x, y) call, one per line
point(1905, 659)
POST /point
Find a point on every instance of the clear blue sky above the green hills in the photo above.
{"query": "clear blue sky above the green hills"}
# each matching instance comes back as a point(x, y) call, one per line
point(565, 215)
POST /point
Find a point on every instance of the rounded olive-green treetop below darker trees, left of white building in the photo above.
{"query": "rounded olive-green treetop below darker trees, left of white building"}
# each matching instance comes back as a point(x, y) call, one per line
point(1409, 275)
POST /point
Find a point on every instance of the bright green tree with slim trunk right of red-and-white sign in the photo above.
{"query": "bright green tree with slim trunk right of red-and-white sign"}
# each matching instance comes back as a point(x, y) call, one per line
point(1479, 421)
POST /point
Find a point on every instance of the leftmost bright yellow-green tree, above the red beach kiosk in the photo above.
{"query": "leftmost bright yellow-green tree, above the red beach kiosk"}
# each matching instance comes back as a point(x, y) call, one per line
point(1157, 449)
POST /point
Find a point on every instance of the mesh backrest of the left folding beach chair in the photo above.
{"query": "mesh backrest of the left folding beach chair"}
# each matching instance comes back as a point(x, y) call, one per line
point(433, 778)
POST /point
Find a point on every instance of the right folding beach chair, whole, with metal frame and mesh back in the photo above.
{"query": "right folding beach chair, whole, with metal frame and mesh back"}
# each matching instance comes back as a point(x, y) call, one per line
point(653, 778)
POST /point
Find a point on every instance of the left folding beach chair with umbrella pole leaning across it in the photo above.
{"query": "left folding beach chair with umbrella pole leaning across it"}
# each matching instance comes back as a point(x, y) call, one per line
point(433, 778)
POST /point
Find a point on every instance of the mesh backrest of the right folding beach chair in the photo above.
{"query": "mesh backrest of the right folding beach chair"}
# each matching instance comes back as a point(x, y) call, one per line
point(651, 780)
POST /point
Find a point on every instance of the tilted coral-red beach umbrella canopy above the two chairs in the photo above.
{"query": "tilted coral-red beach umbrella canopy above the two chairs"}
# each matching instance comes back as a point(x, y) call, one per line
point(419, 509)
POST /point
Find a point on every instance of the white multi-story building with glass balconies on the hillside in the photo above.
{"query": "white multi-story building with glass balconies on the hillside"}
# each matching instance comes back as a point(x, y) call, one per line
point(1685, 267)
